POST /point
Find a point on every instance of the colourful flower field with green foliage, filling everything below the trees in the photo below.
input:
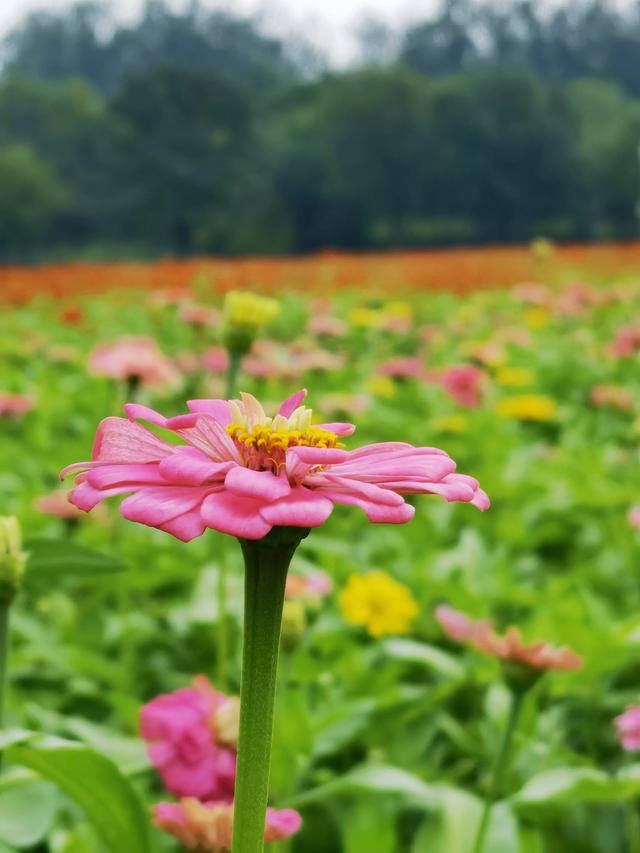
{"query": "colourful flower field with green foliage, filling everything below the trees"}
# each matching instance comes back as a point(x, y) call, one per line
point(450, 673)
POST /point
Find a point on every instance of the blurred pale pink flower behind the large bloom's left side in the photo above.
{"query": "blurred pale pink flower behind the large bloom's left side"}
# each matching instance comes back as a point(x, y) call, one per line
point(133, 358)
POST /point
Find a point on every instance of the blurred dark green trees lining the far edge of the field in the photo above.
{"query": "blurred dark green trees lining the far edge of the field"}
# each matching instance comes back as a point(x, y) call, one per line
point(196, 132)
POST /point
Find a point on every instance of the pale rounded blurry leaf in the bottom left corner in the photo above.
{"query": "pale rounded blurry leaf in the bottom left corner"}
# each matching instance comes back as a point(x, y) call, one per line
point(27, 812)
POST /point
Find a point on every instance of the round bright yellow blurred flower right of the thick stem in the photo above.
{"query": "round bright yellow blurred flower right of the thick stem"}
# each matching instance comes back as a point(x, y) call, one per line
point(379, 603)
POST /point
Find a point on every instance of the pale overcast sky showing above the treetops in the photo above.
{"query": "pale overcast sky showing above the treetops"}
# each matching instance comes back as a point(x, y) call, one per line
point(328, 22)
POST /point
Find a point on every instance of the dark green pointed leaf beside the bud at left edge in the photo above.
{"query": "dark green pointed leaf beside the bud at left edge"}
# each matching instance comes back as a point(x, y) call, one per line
point(56, 558)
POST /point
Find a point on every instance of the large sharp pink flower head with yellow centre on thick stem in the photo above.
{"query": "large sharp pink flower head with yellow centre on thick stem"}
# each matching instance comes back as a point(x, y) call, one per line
point(242, 473)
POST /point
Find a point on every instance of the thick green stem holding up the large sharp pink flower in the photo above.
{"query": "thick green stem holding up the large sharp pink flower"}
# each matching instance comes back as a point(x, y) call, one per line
point(266, 565)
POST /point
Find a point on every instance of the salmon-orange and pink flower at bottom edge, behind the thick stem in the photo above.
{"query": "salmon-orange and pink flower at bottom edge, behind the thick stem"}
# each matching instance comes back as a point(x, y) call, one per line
point(208, 827)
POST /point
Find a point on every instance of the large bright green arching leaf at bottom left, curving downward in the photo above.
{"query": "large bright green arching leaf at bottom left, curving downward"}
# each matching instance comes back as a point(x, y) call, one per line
point(95, 784)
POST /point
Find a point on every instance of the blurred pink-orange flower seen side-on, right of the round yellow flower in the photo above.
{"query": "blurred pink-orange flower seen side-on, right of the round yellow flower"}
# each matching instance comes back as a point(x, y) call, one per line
point(509, 647)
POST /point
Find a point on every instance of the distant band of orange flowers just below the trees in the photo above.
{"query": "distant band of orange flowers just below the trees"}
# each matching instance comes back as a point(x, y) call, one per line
point(461, 270)
